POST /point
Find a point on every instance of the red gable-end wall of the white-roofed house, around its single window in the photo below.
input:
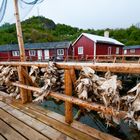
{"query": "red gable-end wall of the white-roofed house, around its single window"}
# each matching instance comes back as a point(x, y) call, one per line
point(88, 46)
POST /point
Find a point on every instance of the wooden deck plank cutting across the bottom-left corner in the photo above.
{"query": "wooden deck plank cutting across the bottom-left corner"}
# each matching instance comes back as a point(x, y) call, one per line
point(9, 133)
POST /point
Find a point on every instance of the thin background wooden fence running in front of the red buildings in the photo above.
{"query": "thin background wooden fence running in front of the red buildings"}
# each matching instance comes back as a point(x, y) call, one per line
point(86, 58)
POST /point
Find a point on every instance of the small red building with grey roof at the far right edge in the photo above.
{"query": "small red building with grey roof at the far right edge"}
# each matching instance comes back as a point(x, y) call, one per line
point(131, 50)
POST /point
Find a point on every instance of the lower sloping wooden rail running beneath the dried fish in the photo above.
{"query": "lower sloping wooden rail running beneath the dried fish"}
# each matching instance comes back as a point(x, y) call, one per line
point(74, 100)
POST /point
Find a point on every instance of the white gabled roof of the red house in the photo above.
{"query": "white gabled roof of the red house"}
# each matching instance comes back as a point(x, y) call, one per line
point(100, 39)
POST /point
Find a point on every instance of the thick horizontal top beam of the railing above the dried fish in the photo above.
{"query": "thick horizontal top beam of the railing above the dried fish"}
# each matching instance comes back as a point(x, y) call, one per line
point(103, 67)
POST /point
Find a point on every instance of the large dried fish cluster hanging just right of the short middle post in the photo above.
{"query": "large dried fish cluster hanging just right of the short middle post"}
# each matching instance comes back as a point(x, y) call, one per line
point(103, 90)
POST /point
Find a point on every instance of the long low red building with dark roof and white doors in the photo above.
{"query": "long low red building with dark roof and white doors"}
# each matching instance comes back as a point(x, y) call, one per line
point(36, 51)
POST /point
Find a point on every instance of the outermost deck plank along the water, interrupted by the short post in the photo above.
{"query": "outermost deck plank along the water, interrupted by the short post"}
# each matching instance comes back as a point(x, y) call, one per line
point(75, 124)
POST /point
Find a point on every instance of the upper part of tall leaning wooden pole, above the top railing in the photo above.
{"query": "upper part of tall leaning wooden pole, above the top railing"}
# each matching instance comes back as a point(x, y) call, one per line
point(19, 32)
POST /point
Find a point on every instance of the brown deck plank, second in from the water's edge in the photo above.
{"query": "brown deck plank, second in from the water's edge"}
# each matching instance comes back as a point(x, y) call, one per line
point(67, 130)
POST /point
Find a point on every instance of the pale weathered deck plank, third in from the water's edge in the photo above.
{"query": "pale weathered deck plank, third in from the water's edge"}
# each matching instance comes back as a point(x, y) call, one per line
point(48, 131)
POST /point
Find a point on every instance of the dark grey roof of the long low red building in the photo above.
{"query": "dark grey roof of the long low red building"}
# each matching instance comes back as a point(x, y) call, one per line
point(34, 46)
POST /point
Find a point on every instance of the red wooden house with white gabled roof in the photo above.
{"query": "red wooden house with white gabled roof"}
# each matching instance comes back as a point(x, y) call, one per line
point(93, 45)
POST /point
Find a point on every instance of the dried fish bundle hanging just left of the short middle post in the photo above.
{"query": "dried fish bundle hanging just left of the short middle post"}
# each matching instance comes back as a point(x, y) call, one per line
point(53, 81)
